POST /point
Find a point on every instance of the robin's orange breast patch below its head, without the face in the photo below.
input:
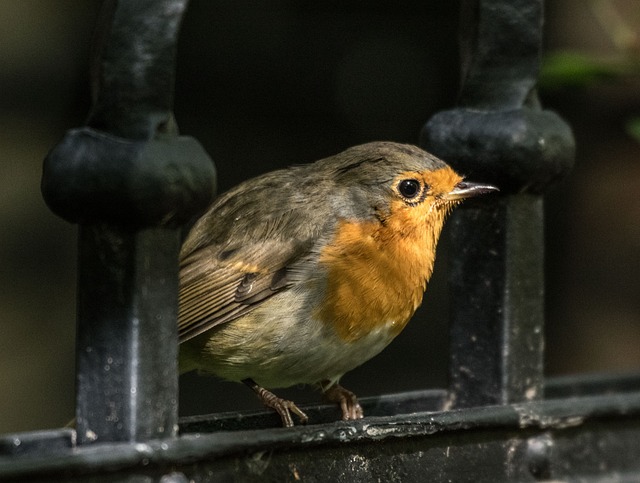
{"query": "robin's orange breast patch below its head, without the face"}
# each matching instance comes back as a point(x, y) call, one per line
point(375, 278)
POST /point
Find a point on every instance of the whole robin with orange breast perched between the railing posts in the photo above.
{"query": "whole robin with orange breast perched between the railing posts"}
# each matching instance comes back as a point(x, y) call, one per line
point(300, 275)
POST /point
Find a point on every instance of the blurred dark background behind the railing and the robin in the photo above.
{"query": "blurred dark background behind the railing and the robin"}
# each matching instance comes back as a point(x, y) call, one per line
point(263, 85)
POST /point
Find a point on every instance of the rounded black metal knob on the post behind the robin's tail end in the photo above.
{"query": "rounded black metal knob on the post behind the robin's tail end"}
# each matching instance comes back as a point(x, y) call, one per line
point(93, 176)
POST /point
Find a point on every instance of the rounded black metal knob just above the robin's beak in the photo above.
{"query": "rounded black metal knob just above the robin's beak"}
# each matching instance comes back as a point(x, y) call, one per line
point(518, 150)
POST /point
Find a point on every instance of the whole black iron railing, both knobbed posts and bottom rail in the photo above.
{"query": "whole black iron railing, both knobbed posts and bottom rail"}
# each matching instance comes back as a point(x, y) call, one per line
point(130, 182)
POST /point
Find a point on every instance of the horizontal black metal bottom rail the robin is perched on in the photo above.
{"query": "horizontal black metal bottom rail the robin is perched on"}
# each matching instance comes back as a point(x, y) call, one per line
point(539, 440)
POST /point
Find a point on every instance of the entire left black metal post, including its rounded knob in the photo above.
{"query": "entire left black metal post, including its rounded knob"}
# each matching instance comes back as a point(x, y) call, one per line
point(130, 182)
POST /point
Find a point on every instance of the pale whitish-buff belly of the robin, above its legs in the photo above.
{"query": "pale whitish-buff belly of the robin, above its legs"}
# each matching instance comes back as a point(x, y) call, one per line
point(286, 351)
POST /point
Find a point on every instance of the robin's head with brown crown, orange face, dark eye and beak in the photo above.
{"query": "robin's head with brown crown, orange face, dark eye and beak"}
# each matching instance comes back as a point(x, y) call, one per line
point(400, 185)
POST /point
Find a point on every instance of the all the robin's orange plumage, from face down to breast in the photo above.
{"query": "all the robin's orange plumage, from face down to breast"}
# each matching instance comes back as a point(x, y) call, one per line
point(377, 272)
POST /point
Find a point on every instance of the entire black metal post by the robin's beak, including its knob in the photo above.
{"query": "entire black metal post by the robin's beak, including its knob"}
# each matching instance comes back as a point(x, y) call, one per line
point(499, 134)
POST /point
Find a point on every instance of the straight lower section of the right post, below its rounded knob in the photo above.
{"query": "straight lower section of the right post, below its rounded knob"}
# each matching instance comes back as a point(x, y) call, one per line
point(496, 291)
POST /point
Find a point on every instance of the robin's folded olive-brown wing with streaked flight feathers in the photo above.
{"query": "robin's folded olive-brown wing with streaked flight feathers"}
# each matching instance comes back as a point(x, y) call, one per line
point(246, 249)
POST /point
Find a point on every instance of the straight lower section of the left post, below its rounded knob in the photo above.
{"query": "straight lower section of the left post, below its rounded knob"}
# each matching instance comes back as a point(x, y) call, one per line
point(126, 336)
